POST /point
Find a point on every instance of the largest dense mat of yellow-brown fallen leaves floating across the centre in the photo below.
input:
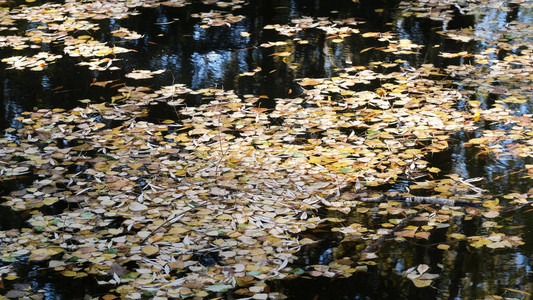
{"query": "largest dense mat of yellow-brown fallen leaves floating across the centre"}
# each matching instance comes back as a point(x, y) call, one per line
point(252, 184)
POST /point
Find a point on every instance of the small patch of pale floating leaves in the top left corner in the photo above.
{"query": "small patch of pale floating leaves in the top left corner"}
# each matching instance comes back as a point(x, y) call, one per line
point(62, 24)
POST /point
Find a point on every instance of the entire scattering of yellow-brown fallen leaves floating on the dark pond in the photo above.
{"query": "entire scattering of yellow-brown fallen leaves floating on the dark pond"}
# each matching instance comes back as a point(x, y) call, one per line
point(216, 201)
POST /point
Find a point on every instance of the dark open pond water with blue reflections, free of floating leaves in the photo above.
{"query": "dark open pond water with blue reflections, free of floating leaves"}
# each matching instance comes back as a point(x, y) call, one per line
point(214, 57)
